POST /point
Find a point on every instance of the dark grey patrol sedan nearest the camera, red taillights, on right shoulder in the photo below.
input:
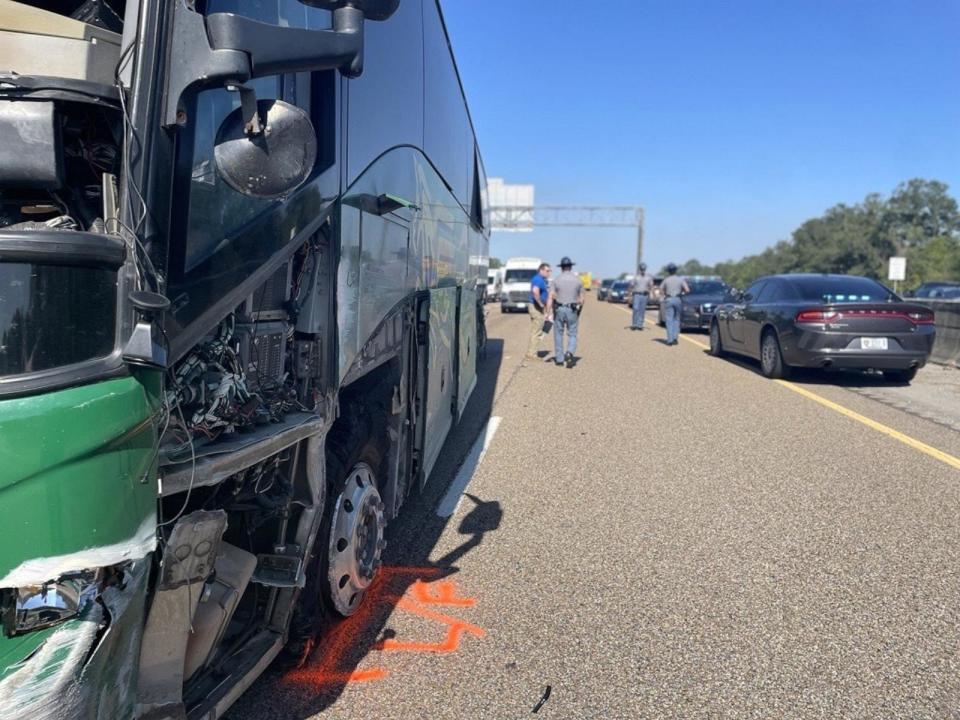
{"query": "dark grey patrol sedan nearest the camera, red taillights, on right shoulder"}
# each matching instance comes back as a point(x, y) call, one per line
point(824, 321)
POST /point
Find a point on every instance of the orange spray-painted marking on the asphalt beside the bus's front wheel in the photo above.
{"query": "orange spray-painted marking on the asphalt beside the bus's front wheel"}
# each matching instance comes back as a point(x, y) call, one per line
point(333, 651)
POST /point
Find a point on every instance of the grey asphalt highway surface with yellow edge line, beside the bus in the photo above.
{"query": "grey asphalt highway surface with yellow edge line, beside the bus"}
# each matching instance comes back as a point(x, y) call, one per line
point(657, 533)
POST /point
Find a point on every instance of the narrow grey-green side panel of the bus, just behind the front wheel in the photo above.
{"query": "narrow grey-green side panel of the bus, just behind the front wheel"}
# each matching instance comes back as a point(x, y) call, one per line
point(441, 382)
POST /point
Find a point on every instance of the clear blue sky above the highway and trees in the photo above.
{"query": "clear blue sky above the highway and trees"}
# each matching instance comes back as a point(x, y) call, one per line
point(731, 122)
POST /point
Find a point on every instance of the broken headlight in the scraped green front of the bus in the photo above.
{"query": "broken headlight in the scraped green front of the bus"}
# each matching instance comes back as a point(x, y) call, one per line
point(34, 607)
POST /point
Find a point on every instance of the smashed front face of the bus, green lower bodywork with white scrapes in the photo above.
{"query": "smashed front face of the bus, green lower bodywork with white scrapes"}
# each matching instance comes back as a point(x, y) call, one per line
point(77, 422)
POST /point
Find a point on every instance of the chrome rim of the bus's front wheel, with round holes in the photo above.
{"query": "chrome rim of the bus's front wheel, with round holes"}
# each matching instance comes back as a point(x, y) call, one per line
point(356, 539)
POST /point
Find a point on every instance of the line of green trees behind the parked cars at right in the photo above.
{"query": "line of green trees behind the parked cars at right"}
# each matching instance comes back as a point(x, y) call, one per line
point(920, 220)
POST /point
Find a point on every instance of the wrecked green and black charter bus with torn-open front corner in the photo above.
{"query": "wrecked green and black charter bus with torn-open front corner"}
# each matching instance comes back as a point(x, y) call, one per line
point(243, 244)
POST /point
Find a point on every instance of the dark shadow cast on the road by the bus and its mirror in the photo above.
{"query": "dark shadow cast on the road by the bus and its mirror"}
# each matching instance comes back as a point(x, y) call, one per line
point(411, 538)
